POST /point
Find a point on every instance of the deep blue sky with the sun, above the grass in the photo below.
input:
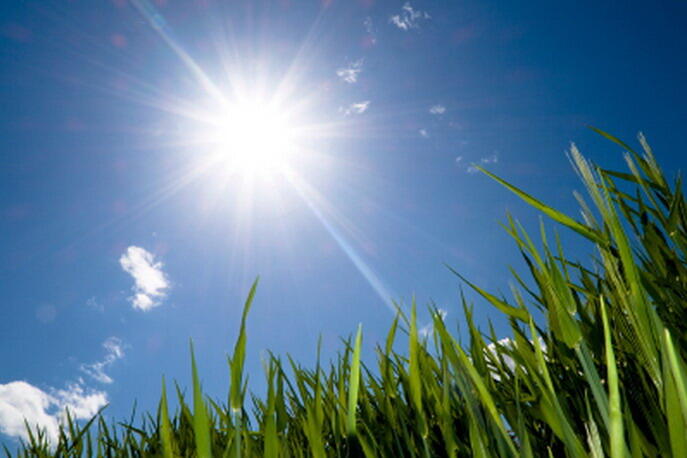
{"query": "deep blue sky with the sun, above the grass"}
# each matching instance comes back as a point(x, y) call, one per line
point(125, 230)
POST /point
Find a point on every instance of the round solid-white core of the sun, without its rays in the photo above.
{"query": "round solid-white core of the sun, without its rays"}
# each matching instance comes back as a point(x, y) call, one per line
point(251, 138)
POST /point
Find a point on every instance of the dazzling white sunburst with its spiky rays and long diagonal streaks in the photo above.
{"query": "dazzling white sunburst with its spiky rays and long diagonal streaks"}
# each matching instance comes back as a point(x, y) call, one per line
point(253, 134)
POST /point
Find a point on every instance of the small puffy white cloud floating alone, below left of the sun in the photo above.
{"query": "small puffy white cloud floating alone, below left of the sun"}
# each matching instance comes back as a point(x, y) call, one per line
point(151, 283)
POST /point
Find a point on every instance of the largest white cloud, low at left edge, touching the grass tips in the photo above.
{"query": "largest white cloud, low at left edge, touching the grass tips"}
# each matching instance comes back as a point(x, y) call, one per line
point(20, 401)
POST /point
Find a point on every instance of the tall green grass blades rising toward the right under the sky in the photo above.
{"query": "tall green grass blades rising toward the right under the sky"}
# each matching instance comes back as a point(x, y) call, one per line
point(602, 373)
